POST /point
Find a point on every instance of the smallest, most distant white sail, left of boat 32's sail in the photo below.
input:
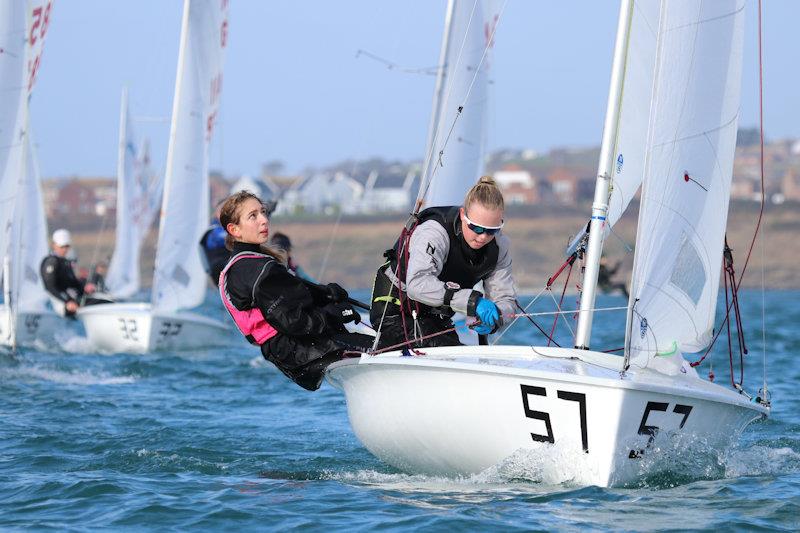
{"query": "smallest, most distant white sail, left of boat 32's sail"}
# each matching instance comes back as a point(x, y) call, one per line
point(138, 193)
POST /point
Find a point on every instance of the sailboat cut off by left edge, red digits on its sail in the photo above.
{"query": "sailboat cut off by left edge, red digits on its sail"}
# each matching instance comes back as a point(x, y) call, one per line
point(24, 315)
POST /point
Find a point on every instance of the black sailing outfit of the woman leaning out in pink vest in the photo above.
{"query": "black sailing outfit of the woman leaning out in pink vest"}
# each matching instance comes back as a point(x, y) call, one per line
point(308, 328)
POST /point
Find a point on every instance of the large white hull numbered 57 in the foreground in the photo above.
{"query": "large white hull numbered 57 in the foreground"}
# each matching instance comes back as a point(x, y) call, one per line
point(458, 411)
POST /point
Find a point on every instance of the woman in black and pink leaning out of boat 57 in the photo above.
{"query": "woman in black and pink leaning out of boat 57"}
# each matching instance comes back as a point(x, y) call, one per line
point(299, 326)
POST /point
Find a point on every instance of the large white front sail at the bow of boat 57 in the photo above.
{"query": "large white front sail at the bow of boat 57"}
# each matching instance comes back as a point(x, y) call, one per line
point(685, 194)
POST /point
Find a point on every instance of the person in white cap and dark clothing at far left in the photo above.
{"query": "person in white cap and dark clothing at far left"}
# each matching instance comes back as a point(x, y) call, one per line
point(59, 277)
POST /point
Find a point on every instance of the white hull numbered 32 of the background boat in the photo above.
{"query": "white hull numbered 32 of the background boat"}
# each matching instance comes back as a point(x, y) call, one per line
point(137, 328)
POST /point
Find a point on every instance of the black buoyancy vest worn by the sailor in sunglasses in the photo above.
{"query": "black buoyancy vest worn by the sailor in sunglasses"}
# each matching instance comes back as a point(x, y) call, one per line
point(463, 265)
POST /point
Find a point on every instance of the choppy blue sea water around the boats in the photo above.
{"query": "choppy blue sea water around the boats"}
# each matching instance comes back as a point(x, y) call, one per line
point(219, 439)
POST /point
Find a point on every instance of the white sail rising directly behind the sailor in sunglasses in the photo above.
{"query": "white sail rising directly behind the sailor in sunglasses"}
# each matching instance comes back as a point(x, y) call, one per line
point(471, 27)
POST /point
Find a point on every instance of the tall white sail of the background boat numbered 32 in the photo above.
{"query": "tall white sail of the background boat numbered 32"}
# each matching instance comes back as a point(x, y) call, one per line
point(179, 280)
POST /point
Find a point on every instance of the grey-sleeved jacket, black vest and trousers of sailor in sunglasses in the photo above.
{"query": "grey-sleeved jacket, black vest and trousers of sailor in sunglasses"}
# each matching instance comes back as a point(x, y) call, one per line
point(439, 280)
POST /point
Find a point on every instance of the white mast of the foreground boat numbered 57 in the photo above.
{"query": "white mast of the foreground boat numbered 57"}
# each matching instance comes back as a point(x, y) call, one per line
point(605, 168)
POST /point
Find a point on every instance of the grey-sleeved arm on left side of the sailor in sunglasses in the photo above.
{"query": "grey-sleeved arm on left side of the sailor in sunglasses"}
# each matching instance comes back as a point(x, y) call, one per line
point(428, 249)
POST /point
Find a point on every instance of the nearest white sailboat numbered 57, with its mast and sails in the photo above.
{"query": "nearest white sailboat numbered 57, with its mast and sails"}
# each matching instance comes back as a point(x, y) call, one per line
point(585, 416)
